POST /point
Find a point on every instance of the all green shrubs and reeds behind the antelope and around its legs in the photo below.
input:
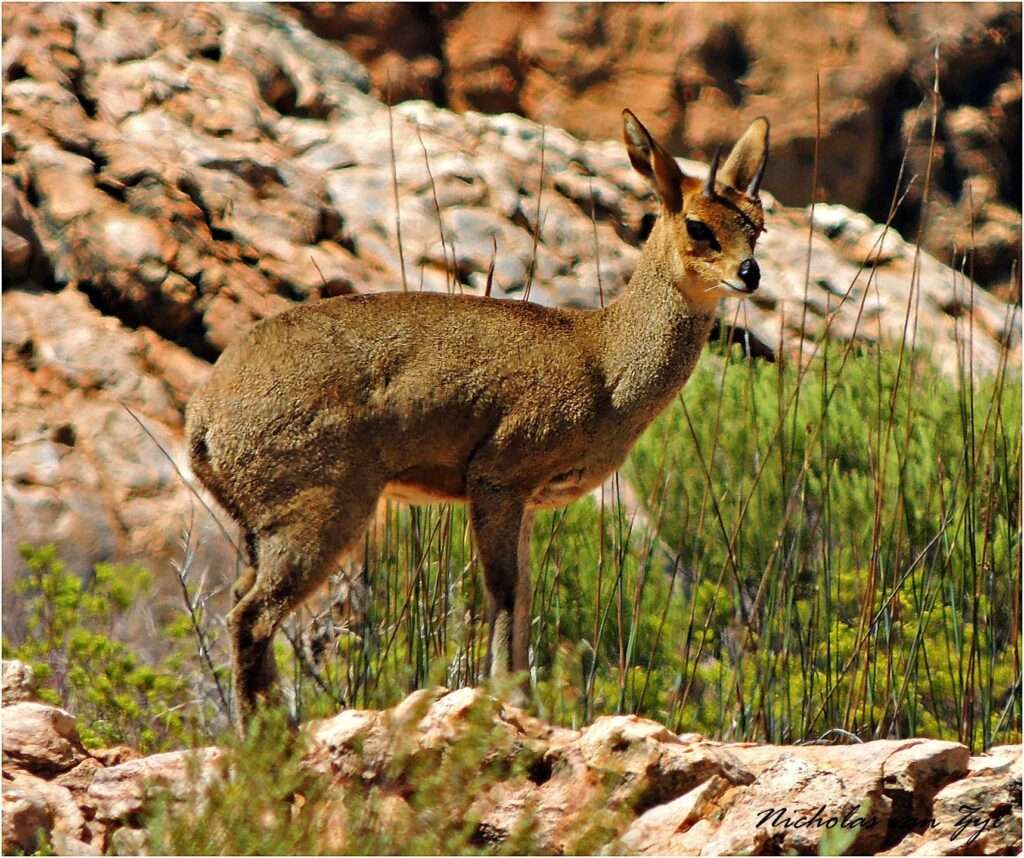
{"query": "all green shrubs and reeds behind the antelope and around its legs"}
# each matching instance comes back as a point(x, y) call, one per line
point(783, 556)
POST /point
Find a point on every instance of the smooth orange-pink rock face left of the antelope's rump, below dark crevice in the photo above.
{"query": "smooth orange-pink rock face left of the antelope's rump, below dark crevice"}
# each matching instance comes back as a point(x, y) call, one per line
point(69, 373)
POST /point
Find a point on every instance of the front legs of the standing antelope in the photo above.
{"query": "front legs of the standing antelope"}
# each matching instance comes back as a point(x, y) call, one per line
point(502, 527)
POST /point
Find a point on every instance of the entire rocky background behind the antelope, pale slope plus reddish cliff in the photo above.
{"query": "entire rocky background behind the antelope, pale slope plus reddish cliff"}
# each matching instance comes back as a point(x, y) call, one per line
point(175, 173)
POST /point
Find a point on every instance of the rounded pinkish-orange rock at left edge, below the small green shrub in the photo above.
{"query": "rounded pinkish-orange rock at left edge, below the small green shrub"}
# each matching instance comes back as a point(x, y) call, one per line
point(41, 739)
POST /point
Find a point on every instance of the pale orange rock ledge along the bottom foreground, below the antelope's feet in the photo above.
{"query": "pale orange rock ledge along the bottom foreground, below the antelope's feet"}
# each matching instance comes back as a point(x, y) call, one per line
point(624, 785)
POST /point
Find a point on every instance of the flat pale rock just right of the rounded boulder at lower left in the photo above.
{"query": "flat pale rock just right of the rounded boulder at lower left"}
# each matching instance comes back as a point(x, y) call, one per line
point(119, 792)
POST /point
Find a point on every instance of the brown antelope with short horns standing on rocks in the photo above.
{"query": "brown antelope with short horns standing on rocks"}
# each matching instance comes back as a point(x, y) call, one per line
point(314, 415)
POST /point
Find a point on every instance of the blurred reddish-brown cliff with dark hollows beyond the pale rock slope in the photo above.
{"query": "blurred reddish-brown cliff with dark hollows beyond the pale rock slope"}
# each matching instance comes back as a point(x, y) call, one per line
point(701, 73)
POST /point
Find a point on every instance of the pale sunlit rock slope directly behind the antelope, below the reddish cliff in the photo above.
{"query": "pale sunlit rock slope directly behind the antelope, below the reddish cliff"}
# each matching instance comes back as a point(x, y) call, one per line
point(174, 174)
